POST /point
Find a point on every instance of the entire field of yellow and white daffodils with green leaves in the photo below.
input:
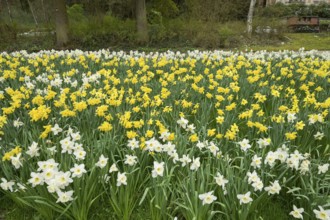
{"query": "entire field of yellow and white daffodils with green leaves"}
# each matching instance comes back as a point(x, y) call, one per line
point(196, 135)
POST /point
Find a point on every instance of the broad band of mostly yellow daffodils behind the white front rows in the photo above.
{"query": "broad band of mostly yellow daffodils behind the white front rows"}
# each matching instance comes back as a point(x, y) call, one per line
point(134, 91)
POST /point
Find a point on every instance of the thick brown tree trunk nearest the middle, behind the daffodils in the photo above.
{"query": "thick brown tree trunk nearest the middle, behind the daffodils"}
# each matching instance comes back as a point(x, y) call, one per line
point(141, 21)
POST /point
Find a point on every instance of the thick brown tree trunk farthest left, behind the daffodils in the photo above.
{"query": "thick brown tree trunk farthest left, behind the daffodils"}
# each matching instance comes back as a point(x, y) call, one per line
point(62, 23)
